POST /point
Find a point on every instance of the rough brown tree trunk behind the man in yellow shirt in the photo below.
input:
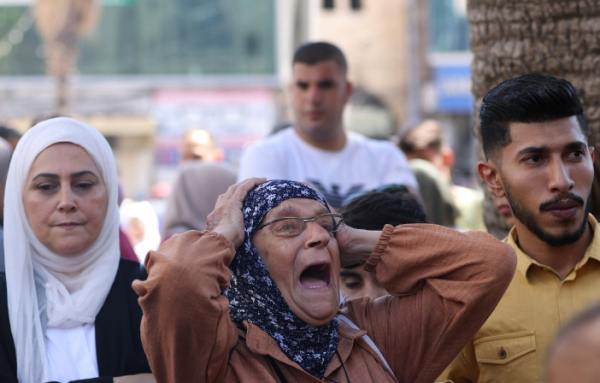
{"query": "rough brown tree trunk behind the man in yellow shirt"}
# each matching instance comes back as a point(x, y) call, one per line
point(560, 38)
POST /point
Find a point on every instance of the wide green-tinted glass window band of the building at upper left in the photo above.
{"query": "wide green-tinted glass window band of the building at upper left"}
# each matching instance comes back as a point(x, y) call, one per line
point(151, 37)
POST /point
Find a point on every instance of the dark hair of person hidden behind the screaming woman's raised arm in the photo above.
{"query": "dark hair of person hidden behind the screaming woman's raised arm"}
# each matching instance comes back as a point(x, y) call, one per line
point(374, 210)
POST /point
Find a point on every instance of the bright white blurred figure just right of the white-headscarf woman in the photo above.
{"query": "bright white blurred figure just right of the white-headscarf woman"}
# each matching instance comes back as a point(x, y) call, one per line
point(140, 224)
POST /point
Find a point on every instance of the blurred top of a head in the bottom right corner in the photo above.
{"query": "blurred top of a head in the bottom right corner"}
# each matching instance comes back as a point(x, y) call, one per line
point(574, 355)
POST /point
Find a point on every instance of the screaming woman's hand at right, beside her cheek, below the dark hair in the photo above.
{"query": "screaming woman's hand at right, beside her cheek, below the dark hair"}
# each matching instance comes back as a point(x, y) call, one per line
point(356, 245)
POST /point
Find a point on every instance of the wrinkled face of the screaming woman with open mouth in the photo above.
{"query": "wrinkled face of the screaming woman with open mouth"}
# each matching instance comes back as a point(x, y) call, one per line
point(306, 267)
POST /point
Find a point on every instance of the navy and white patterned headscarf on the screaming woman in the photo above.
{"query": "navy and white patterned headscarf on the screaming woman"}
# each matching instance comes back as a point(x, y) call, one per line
point(253, 295)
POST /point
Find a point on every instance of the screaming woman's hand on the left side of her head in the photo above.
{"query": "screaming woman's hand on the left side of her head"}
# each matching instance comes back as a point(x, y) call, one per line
point(227, 218)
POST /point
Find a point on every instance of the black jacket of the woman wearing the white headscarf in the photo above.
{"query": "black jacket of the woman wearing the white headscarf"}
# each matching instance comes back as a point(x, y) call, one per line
point(118, 343)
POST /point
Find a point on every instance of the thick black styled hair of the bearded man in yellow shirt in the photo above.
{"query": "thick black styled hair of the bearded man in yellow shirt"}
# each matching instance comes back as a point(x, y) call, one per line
point(527, 99)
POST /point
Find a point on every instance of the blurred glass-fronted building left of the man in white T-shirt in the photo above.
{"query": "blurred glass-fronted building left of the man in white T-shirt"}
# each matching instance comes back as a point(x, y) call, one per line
point(151, 70)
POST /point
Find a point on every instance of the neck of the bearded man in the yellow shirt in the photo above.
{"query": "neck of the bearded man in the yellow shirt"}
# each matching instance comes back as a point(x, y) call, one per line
point(561, 259)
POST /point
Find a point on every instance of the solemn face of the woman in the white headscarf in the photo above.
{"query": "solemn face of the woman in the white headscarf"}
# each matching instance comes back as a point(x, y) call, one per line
point(65, 199)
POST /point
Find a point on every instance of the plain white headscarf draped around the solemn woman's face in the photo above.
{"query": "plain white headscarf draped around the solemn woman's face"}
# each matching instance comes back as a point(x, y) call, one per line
point(40, 294)
